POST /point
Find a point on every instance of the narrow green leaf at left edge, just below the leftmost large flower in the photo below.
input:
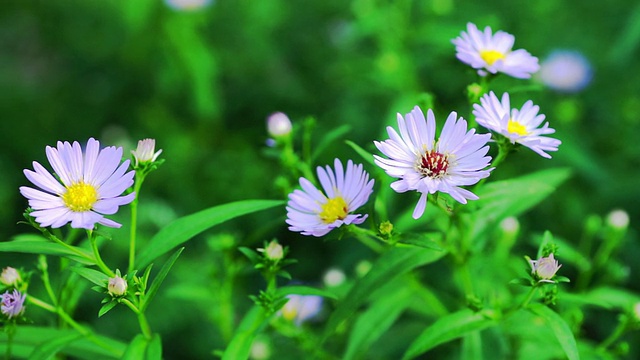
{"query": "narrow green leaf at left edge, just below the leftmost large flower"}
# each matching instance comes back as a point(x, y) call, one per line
point(36, 244)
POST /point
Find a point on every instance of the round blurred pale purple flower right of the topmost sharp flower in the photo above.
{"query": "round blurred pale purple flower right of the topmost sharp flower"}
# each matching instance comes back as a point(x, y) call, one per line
point(566, 71)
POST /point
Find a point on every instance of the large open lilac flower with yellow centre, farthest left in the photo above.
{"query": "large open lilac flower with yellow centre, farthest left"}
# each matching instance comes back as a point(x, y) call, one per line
point(89, 186)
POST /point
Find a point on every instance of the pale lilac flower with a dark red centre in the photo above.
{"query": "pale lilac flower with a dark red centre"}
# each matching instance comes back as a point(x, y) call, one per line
point(427, 166)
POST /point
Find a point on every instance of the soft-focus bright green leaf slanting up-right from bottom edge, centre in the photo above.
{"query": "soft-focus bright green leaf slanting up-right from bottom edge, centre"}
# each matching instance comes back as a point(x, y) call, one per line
point(377, 319)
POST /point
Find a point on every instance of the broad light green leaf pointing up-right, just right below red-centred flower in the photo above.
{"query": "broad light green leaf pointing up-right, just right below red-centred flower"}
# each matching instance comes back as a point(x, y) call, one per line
point(501, 199)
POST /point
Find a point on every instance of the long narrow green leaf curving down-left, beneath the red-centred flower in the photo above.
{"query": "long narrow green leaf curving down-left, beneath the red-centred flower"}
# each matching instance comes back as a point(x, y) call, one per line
point(387, 268)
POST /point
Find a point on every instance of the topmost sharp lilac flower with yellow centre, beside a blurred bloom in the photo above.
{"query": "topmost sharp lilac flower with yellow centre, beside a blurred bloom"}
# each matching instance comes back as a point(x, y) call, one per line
point(492, 53)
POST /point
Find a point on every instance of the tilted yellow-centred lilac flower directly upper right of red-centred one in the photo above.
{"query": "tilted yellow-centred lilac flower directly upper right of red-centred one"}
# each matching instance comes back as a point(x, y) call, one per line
point(519, 126)
